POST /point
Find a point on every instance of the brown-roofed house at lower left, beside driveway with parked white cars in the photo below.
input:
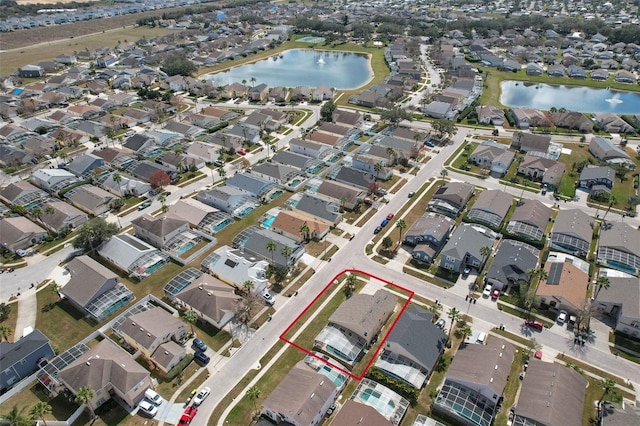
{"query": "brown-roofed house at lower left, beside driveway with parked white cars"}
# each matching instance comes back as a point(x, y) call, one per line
point(108, 370)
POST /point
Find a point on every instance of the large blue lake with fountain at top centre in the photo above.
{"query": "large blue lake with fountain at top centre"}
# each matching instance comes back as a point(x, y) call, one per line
point(298, 67)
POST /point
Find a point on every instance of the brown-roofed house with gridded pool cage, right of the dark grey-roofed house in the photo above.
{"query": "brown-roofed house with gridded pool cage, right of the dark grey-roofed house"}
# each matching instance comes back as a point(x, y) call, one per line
point(475, 382)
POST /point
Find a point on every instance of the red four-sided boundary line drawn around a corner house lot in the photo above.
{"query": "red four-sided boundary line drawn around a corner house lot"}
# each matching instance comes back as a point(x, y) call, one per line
point(380, 345)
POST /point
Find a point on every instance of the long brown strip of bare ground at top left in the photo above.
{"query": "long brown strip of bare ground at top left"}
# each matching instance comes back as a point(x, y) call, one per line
point(24, 38)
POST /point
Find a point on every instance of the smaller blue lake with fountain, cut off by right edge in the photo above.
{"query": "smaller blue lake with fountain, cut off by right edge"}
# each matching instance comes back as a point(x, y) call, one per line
point(572, 98)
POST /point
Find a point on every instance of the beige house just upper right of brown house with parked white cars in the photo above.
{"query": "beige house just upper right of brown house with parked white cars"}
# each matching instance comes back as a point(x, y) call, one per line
point(156, 334)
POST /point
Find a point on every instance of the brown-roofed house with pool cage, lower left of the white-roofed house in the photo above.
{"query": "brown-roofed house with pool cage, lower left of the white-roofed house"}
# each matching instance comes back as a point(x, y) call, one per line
point(93, 289)
